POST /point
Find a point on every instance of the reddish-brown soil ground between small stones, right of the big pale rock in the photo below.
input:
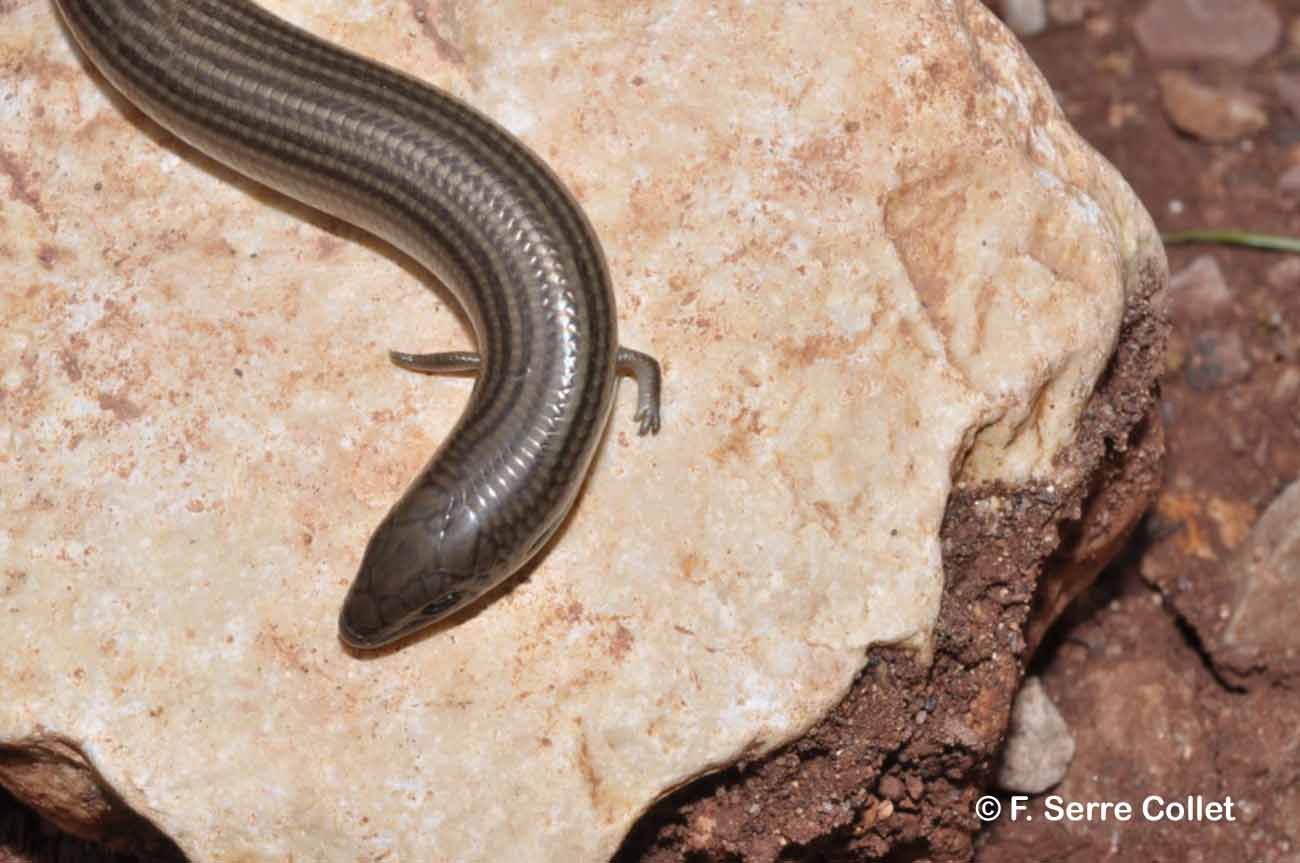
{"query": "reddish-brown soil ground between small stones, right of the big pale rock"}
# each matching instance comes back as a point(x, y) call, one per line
point(1129, 666)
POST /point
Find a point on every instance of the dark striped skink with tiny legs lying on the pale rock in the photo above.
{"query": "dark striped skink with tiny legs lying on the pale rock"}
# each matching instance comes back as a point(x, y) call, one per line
point(460, 194)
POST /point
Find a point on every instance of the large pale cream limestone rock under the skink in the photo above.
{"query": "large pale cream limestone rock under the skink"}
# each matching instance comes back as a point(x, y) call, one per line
point(874, 258)
